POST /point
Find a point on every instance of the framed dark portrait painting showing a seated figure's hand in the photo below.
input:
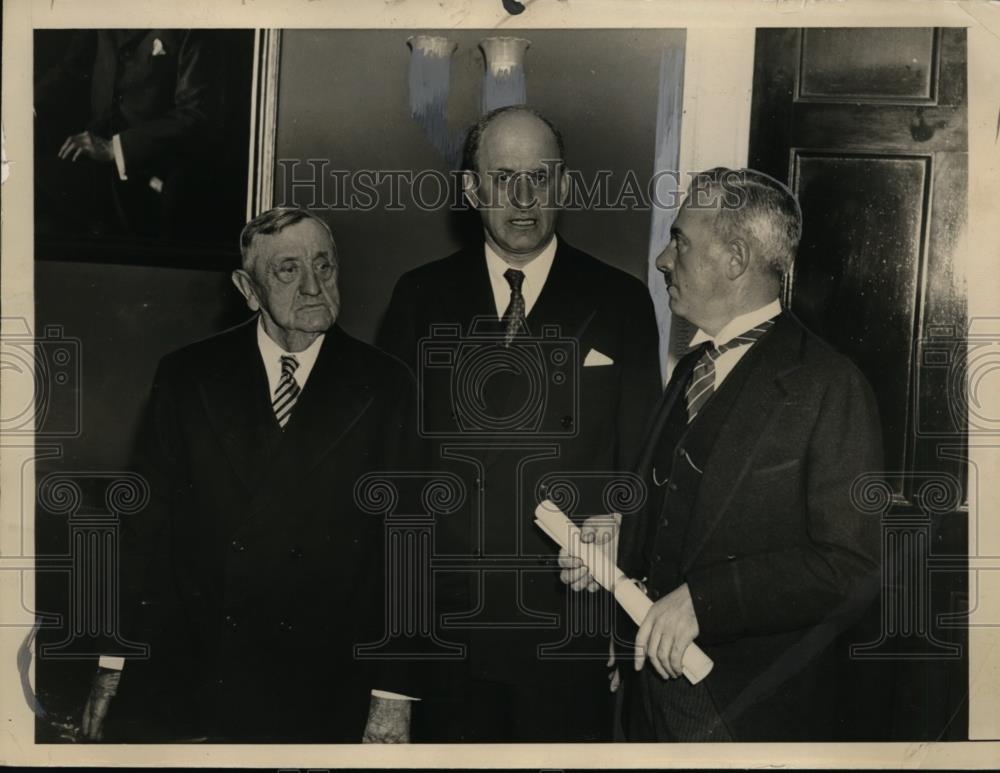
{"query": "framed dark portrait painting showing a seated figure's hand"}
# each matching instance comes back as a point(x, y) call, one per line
point(146, 142)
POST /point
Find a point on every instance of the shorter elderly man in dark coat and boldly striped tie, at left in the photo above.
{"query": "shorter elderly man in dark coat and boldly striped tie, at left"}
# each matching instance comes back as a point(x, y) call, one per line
point(253, 572)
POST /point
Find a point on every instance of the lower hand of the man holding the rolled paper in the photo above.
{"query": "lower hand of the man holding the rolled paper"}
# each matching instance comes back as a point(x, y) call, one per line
point(668, 630)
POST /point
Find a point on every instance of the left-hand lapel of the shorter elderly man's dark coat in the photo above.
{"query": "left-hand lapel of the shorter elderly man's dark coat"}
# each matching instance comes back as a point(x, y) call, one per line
point(235, 395)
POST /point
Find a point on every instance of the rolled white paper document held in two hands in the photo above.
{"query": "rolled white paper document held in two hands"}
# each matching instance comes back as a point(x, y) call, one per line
point(696, 665)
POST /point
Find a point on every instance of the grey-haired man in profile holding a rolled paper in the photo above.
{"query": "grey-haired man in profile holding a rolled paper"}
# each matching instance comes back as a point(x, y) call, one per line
point(750, 543)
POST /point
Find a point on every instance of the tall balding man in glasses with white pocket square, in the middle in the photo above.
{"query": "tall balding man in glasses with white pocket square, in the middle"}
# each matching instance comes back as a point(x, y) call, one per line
point(548, 378)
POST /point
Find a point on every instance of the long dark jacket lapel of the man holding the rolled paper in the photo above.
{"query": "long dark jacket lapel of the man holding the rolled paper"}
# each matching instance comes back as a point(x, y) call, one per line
point(756, 410)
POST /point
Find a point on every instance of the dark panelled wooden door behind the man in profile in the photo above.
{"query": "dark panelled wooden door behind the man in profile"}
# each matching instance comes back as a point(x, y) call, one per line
point(869, 128)
